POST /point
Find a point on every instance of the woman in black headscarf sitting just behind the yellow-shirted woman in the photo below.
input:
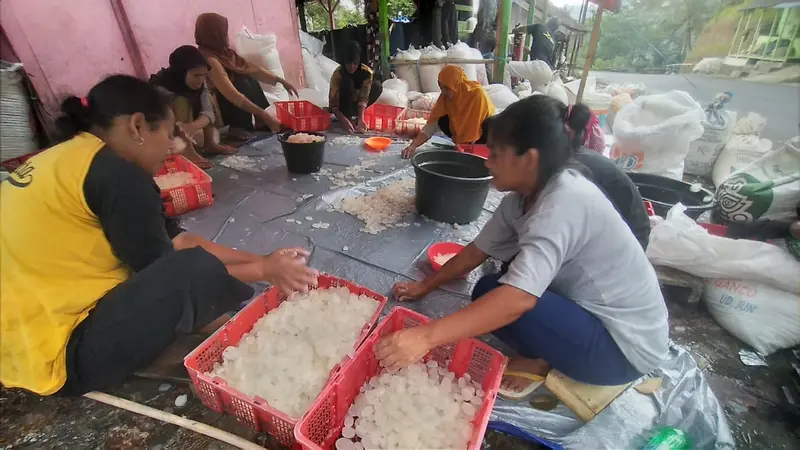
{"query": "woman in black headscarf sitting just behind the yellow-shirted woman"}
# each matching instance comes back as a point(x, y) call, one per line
point(191, 103)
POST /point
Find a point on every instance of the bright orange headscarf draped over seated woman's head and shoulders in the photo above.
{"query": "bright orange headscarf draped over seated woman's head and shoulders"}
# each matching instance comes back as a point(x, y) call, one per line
point(467, 110)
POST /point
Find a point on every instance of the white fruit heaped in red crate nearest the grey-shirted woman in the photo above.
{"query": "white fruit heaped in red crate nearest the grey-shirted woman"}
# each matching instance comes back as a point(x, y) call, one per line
point(420, 406)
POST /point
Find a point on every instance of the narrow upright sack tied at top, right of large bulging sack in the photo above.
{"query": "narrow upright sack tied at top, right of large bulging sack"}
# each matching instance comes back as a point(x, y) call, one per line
point(703, 152)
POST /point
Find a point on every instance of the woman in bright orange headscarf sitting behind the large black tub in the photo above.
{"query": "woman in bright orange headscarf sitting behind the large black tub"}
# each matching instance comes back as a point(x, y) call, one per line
point(460, 112)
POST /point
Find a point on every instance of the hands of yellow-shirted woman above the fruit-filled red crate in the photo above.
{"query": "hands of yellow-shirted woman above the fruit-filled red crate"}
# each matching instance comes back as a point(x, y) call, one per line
point(286, 269)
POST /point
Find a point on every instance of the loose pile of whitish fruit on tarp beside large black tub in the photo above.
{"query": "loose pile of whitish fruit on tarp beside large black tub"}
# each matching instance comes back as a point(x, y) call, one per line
point(383, 209)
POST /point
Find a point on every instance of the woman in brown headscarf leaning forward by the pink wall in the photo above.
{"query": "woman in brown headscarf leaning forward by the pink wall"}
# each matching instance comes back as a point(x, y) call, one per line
point(236, 80)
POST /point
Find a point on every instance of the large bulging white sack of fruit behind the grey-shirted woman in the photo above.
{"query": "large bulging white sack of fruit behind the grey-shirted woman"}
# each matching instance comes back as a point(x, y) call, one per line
point(653, 134)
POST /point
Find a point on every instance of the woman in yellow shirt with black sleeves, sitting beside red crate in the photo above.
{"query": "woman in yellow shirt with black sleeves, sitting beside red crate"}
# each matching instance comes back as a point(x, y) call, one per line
point(95, 282)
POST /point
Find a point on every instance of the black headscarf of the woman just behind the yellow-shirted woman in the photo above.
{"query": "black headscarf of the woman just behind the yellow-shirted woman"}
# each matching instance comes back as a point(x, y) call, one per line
point(173, 78)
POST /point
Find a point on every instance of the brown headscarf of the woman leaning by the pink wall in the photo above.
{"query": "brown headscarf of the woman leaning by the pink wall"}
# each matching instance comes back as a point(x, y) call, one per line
point(211, 36)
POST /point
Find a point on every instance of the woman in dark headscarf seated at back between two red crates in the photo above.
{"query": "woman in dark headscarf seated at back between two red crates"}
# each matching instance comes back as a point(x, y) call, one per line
point(352, 89)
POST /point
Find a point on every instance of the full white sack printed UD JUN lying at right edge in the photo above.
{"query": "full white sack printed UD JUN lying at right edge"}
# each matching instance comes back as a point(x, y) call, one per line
point(765, 318)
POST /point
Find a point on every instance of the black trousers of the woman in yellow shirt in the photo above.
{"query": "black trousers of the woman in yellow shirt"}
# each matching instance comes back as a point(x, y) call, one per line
point(135, 322)
